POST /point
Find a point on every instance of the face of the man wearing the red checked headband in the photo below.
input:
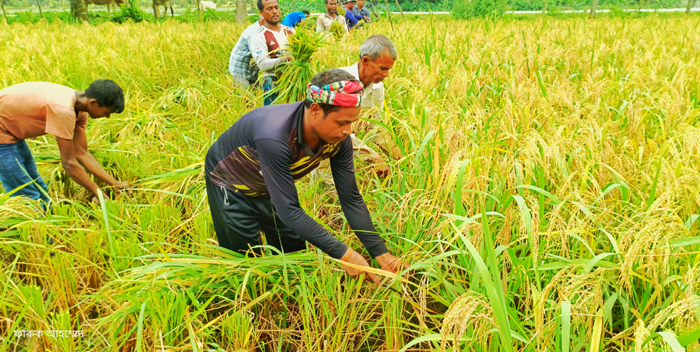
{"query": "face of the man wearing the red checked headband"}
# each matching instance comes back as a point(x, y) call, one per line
point(336, 126)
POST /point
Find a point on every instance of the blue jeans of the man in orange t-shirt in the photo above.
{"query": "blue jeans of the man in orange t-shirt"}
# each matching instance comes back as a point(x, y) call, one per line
point(12, 156)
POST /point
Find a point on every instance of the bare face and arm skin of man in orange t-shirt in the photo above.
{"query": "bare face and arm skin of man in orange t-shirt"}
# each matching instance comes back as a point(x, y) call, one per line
point(74, 153)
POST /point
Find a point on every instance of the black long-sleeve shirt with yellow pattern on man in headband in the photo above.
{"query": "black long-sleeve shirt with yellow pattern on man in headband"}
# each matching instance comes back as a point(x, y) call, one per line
point(264, 152)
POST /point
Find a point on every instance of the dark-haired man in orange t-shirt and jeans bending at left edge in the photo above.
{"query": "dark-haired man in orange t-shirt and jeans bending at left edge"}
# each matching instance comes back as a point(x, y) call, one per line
point(33, 109)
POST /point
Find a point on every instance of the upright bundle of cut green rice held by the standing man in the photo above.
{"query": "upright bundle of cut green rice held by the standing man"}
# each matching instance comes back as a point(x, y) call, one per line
point(291, 85)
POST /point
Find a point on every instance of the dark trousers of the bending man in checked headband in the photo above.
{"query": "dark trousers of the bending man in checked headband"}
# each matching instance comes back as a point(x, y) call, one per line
point(239, 219)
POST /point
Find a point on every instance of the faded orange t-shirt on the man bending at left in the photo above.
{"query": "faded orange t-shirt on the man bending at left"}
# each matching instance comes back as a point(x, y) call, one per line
point(34, 109)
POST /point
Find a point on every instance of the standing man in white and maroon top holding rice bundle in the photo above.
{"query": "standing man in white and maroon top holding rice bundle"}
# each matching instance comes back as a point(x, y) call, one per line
point(269, 47)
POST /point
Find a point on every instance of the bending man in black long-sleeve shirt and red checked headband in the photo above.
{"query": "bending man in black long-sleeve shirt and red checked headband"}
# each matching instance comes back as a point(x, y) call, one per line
point(252, 167)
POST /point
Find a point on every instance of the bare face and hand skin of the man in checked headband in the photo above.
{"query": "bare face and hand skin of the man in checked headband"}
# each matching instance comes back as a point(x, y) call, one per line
point(334, 128)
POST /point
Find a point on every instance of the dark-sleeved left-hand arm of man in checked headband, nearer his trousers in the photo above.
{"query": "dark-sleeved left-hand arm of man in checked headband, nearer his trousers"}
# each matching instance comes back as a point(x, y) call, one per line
point(275, 162)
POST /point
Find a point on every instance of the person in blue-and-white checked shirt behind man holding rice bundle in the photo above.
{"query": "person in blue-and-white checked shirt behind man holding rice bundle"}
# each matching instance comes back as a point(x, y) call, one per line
point(244, 73)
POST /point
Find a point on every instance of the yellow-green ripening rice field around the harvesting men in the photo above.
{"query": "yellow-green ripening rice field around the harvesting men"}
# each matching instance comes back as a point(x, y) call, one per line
point(544, 187)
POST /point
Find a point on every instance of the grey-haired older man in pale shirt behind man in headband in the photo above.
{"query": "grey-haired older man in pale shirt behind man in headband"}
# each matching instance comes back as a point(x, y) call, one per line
point(377, 56)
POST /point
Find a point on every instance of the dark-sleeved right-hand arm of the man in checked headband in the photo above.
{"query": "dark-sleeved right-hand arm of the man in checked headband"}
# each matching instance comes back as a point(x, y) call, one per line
point(351, 201)
